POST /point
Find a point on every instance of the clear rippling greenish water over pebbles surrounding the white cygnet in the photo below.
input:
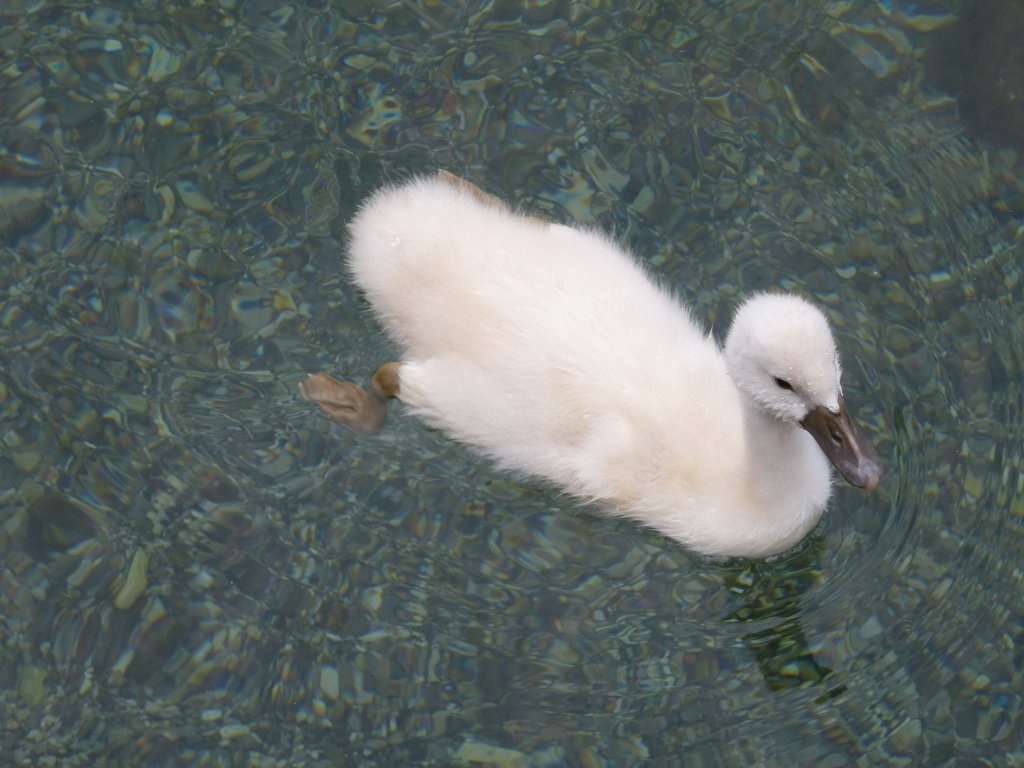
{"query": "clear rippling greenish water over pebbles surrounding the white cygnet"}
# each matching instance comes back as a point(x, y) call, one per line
point(199, 569)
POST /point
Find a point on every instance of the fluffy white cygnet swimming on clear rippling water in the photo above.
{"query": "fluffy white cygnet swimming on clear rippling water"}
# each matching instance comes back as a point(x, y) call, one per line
point(551, 351)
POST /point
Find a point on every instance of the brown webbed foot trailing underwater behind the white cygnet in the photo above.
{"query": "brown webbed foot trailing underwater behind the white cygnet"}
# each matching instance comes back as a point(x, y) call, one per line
point(361, 409)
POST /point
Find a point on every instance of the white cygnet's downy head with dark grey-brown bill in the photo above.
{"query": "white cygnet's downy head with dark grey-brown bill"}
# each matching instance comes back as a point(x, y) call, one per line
point(783, 357)
